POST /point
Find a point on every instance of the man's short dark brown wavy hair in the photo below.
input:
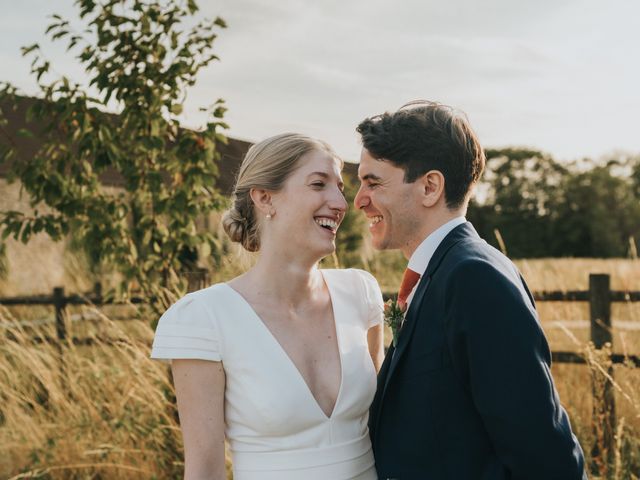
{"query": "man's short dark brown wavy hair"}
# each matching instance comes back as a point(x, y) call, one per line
point(423, 136)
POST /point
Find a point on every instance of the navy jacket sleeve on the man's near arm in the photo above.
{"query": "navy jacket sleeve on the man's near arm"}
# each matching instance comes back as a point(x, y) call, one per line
point(499, 351)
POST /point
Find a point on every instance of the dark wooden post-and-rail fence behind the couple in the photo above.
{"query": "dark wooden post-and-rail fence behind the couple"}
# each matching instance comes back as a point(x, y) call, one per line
point(600, 297)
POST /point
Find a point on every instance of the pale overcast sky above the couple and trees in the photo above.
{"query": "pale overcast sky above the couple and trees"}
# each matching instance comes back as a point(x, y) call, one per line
point(558, 75)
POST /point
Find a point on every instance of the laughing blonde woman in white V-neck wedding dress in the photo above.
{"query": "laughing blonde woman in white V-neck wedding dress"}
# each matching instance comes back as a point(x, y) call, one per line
point(282, 360)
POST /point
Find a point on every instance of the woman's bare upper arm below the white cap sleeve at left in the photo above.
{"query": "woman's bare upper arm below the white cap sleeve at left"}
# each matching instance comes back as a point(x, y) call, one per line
point(200, 393)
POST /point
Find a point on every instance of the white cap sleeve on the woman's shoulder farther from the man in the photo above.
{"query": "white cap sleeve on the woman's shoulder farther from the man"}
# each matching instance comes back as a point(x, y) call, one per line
point(187, 330)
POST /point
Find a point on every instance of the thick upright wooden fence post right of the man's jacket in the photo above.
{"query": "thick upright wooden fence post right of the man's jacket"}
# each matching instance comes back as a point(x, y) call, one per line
point(604, 412)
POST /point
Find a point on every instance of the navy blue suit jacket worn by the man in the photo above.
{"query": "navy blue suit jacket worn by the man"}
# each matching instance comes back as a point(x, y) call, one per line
point(467, 394)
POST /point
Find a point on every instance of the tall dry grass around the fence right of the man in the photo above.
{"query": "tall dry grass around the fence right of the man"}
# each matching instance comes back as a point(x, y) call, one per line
point(581, 387)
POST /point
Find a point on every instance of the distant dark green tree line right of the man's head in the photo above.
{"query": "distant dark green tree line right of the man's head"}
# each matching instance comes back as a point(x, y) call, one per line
point(543, 208)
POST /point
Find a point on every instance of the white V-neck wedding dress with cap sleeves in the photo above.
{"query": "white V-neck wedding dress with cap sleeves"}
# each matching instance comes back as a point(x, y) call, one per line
point(274, 425)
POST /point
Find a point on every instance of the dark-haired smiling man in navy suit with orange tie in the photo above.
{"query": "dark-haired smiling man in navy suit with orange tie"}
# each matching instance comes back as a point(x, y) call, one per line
point(467, 392)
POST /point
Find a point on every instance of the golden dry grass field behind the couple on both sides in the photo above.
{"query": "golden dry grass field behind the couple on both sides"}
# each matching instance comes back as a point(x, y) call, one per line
point(107, 411)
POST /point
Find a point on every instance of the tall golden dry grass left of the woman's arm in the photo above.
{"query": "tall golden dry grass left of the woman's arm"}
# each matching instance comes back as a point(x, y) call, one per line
point(105, 411)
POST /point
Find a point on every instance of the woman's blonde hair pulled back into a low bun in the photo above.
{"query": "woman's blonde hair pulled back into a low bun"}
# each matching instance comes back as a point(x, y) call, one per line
point(267, 165)
